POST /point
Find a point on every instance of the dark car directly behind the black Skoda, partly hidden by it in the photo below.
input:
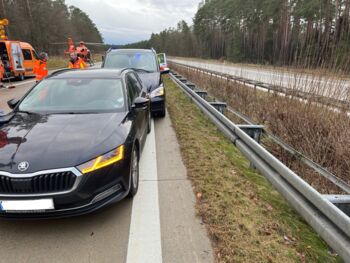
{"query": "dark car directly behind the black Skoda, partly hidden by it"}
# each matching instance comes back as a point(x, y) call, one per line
point(145, 62)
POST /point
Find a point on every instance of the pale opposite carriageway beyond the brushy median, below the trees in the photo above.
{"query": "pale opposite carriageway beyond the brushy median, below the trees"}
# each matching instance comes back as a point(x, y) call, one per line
point(320, 85)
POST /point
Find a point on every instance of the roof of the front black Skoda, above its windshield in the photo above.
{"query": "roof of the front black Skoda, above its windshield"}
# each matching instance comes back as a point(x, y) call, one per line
point(88, 73)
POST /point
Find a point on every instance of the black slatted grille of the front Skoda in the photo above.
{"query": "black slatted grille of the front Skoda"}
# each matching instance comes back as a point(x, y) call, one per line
point(40, 184)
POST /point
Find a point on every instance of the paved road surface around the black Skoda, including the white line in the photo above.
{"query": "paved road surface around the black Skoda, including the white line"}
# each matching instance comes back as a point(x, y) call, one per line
point(158, 225)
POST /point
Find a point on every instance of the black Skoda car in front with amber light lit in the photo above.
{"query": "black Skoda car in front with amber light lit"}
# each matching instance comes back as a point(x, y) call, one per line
point(72, 144)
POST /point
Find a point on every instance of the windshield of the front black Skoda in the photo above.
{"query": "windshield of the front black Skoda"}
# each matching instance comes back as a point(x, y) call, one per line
point(75, 96)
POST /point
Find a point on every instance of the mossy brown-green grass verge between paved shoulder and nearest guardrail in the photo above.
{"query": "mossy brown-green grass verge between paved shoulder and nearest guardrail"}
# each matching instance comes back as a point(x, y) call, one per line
point(247, 220)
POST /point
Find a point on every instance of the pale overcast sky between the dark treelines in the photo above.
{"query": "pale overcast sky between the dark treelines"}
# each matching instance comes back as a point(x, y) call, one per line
point(128, 21)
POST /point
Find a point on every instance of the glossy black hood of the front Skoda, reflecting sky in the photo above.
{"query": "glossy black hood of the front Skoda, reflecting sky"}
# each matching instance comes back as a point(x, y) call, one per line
point(58, 141)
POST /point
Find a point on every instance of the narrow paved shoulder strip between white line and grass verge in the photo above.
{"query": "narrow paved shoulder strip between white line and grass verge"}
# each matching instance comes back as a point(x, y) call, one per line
point(184, 238)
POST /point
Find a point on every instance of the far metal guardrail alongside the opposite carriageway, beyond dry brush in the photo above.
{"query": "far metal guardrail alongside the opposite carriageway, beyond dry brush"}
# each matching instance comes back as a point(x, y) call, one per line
point(323, 100)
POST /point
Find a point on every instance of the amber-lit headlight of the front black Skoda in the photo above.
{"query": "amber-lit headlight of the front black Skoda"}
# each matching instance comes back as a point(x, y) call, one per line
point(103, 160)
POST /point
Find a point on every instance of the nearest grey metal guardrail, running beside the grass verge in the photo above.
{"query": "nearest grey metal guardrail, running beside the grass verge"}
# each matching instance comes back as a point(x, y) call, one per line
point(328, 220)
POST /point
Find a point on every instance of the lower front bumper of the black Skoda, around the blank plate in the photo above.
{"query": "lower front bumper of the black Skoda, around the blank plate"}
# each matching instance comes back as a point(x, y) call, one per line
point(94, 191)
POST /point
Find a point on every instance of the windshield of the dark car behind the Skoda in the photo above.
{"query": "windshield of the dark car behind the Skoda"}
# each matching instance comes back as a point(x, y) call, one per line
point(138, 60)
